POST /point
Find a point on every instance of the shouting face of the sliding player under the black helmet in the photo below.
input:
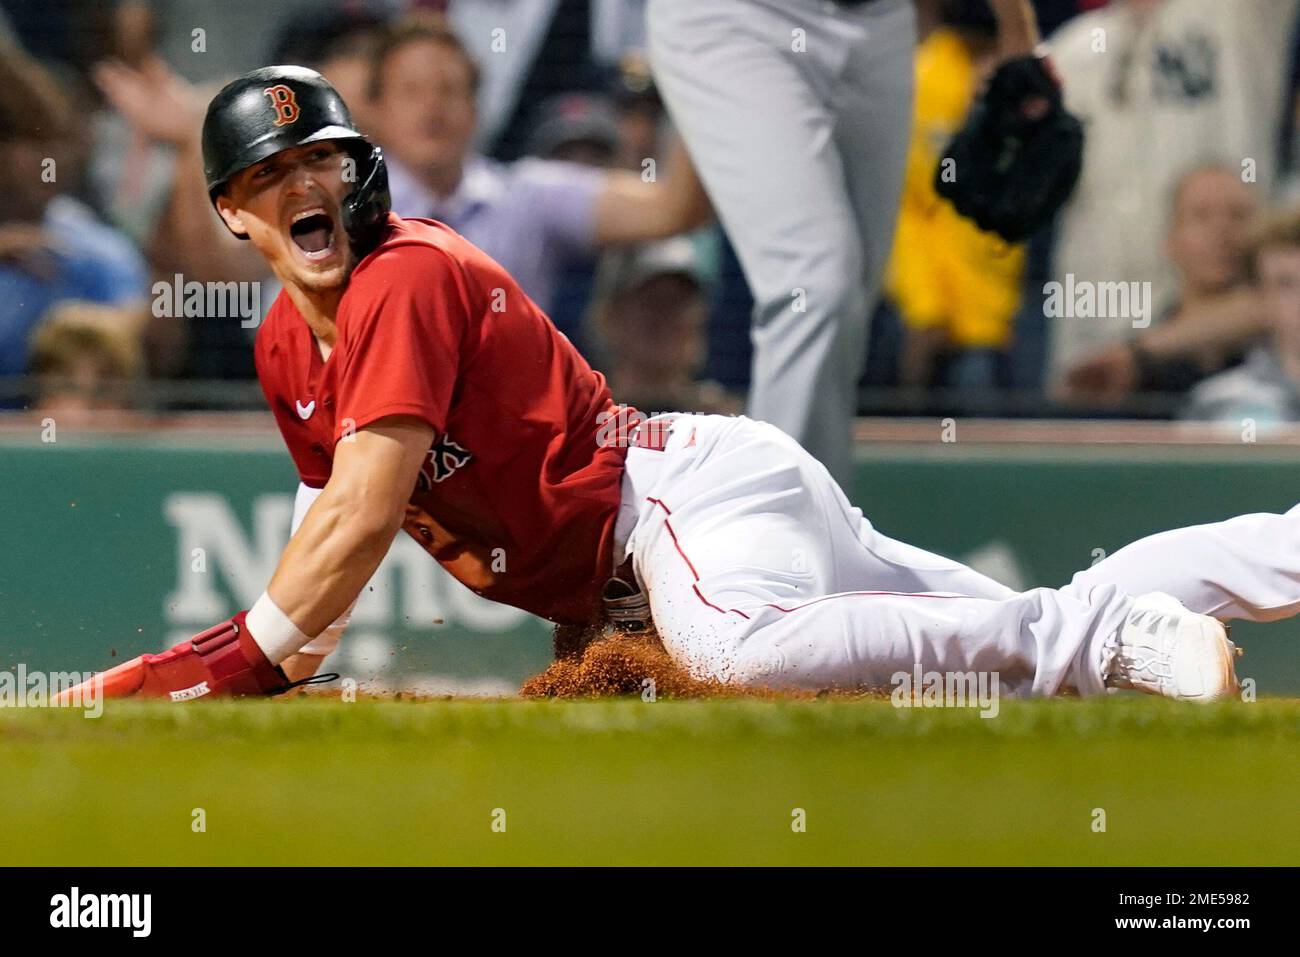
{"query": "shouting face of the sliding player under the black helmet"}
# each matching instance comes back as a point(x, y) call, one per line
point(291, 207)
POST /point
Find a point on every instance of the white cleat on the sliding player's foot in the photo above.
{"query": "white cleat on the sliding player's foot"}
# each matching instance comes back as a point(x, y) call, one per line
point(1165, 649)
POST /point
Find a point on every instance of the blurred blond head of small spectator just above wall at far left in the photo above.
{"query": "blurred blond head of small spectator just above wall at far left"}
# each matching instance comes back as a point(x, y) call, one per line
point(86, 360)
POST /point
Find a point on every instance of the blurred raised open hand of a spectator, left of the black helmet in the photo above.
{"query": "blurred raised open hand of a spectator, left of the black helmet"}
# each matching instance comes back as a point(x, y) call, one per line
point(154, 99)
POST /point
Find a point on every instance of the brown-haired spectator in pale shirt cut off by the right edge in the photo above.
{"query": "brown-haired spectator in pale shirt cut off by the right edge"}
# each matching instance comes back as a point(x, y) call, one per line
point(1266, 389)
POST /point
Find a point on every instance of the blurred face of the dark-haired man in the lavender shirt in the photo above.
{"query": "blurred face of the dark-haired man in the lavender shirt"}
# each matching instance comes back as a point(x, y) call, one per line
point(427, 106)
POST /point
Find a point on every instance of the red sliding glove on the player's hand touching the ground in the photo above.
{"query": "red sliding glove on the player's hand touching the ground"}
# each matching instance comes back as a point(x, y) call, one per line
point(220, 662)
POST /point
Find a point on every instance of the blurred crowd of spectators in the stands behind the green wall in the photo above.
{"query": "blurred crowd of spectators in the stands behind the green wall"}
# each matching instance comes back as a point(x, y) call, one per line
point(1168, 288)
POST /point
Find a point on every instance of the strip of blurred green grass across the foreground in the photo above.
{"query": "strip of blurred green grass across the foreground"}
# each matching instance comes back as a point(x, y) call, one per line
point(320, 782)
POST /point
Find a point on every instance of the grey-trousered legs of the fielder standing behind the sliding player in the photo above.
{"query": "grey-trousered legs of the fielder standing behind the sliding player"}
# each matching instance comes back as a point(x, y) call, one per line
point(755, 86)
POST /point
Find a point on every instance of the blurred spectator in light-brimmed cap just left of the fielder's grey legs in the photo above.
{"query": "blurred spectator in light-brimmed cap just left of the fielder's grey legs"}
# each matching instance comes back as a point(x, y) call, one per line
point(652, 314)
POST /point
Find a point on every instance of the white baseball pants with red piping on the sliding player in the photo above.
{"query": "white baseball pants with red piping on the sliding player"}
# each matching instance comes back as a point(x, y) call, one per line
point(760, 571)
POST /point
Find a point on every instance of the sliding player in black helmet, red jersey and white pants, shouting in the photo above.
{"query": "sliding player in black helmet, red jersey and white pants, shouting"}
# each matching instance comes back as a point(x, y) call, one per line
point(419, 389)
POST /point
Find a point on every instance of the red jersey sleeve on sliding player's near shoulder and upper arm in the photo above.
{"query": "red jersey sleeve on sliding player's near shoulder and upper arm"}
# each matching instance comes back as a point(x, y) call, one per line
point(401, 340)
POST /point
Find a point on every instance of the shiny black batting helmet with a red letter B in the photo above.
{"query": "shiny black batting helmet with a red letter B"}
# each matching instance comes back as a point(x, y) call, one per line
point(281, 107)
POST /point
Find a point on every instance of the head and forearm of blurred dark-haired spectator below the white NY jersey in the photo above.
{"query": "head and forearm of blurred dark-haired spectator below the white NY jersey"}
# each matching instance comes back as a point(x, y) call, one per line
point(1208, 241)
